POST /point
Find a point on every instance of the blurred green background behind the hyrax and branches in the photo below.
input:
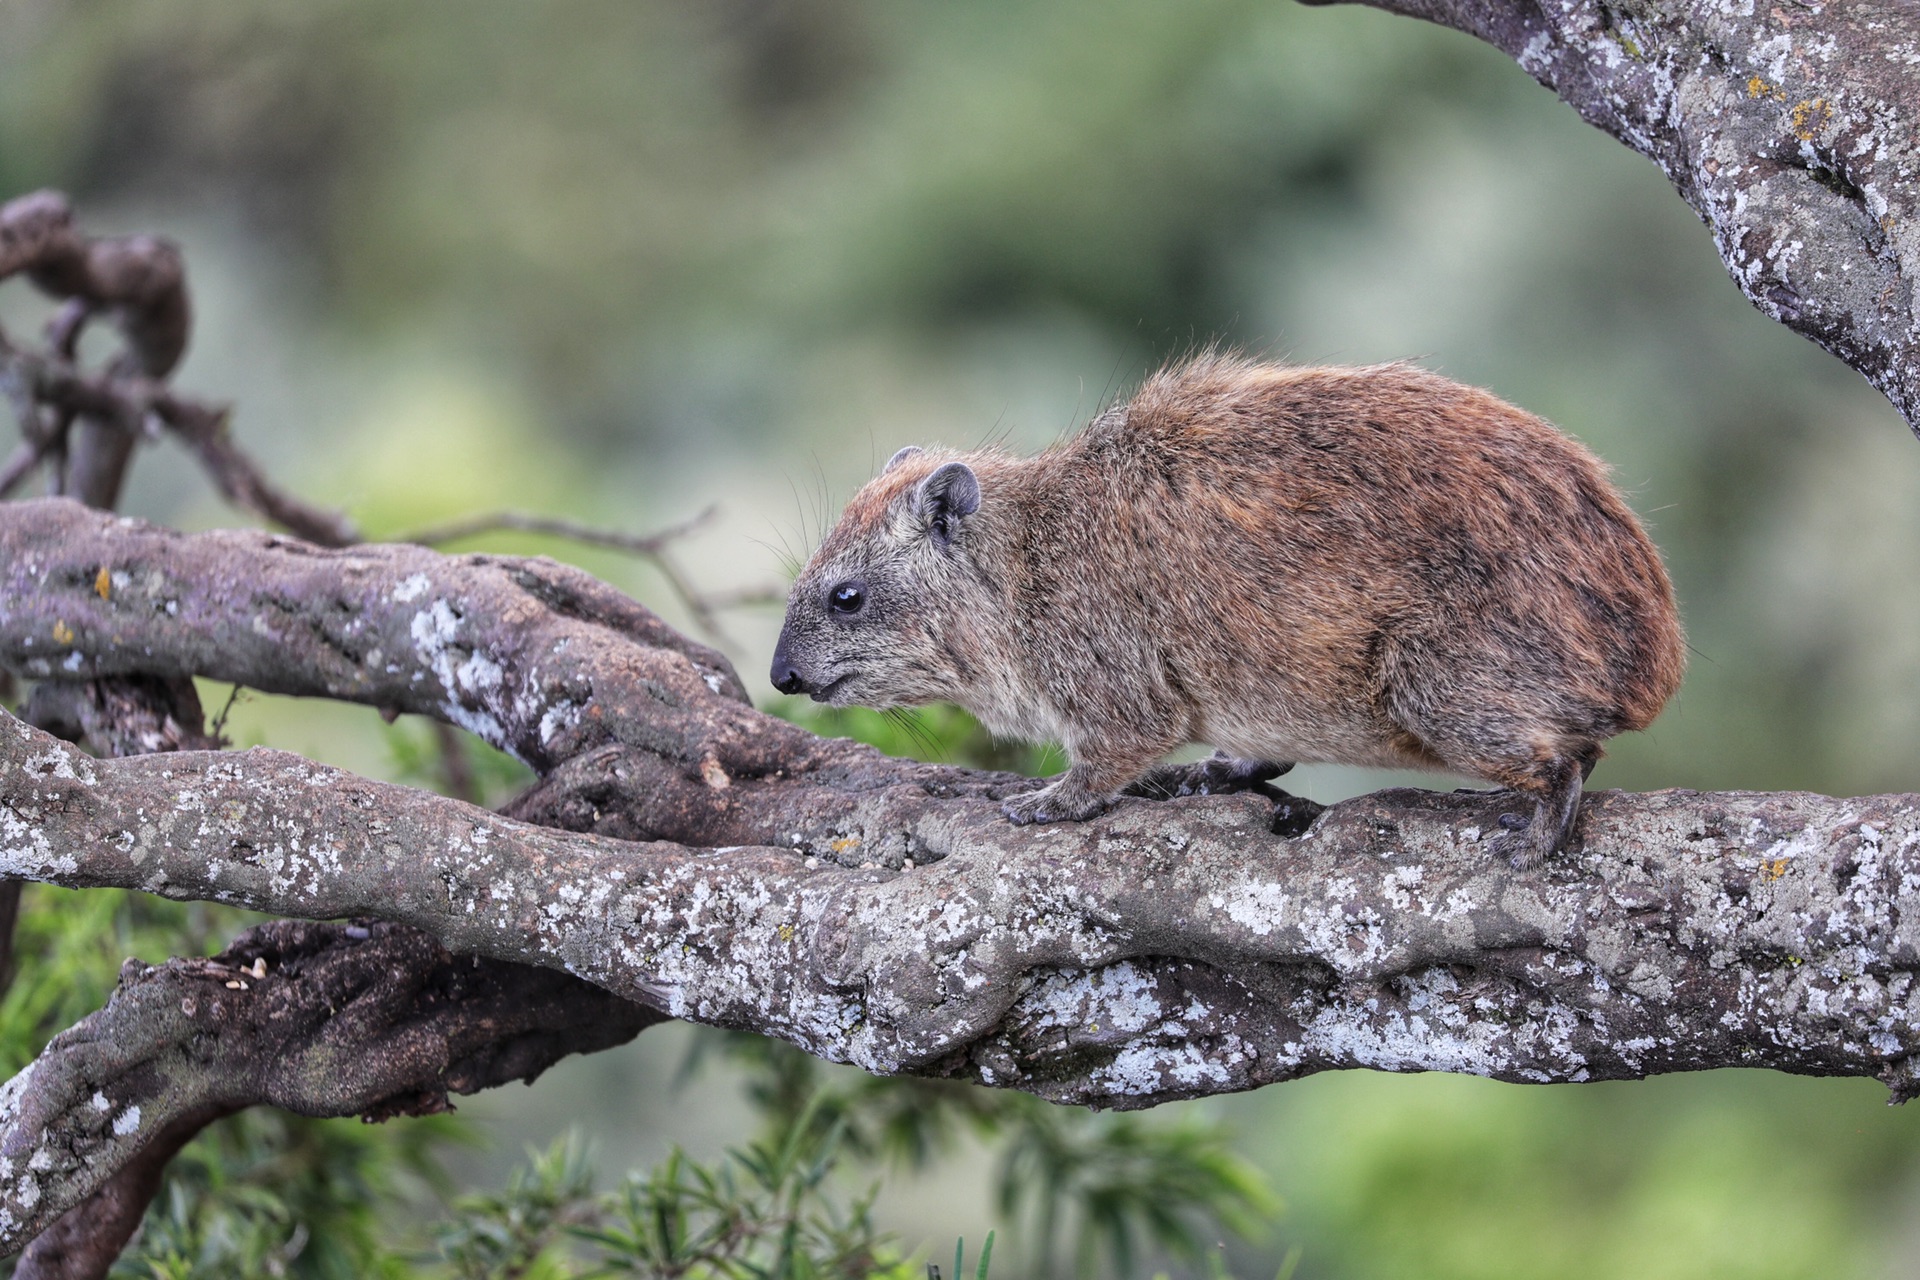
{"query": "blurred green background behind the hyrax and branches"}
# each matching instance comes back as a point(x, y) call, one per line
point(623, 260)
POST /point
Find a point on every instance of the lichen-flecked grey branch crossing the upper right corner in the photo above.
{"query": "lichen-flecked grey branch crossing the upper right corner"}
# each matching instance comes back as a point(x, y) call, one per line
point(1788, 126)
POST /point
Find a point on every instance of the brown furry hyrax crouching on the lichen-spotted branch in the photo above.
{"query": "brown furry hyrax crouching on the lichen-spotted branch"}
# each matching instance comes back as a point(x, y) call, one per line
point(1293, 565)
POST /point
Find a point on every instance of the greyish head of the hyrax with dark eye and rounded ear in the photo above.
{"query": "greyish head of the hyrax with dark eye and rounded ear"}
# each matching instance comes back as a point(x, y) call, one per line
point(876, 617)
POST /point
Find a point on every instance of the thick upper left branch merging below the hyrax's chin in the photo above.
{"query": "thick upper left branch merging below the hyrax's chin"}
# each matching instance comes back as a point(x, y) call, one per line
point(654, 730)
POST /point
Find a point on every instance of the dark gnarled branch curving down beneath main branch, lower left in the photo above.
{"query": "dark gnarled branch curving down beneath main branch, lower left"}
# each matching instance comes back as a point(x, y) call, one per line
point(324, 1020)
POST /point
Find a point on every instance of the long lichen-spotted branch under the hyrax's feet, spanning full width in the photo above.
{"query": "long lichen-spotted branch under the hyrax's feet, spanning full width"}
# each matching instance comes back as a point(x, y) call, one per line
point(1166, 951)
